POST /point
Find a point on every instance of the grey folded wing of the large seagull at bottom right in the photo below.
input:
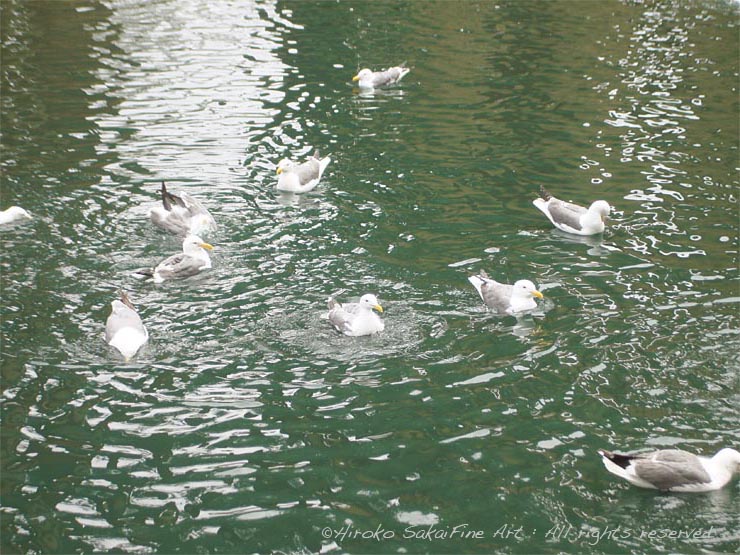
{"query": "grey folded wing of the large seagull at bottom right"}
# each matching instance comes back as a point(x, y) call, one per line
point(671, 468)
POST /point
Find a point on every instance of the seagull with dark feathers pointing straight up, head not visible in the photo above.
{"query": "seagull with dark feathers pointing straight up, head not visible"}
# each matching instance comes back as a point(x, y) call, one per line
point(181, 215)
